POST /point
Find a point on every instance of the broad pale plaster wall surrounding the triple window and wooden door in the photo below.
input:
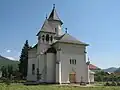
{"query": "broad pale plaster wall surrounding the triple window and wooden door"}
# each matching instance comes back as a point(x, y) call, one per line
point(75, 52)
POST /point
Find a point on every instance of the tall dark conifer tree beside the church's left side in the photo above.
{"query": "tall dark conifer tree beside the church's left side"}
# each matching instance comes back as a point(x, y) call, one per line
point(23, 65)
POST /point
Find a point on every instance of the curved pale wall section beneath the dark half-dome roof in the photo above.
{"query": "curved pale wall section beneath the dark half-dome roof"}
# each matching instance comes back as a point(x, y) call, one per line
point(50, 68)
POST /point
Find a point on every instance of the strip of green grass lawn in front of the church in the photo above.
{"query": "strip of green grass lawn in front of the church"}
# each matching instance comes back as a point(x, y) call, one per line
point(53, 87)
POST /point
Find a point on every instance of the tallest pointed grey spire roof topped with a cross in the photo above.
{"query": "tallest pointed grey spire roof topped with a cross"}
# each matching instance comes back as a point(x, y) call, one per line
point(54, 15)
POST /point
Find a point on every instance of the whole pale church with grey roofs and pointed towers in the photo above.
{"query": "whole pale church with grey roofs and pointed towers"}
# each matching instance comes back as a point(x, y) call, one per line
point(58, 57)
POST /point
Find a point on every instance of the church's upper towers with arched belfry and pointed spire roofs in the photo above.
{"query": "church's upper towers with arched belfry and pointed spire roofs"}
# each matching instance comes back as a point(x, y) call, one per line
point(52, 27)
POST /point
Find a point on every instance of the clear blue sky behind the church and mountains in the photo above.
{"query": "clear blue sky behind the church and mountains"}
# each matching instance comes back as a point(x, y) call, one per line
point(96, 22)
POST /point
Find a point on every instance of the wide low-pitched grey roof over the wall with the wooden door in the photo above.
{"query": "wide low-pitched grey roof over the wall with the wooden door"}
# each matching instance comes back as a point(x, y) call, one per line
point(67, 38)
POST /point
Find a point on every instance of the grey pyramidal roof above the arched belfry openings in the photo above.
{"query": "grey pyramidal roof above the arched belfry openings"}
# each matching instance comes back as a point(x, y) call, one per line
point(46, 28)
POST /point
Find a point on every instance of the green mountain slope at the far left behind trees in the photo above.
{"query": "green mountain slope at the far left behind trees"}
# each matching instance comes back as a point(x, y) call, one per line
point(5, 62)
